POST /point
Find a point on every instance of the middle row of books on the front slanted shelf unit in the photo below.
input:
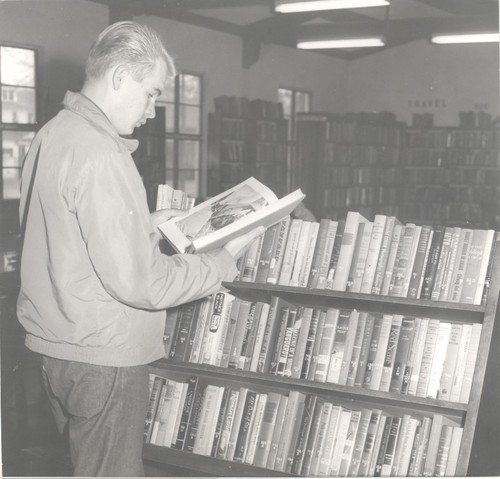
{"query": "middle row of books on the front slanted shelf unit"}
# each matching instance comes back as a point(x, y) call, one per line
point(413, 356)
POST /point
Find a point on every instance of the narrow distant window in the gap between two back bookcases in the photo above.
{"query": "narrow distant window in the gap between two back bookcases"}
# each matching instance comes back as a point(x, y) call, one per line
point(293, 101)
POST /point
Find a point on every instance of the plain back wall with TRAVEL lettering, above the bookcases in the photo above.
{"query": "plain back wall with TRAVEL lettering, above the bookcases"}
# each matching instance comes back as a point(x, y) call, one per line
point(424, 78)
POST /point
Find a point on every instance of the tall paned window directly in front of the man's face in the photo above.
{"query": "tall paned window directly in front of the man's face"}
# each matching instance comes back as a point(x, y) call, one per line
point(182, 102)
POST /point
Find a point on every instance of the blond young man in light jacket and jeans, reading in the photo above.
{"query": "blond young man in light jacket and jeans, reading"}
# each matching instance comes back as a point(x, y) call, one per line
point(94, 285)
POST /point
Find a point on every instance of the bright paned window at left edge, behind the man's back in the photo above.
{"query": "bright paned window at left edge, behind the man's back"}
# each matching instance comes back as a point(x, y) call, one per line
point(17, 114)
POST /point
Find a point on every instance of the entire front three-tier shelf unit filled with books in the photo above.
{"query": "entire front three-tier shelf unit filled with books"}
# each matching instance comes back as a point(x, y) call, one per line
point(354, 347)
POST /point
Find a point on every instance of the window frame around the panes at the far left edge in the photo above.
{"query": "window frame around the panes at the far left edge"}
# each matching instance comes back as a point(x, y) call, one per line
point(20, 127)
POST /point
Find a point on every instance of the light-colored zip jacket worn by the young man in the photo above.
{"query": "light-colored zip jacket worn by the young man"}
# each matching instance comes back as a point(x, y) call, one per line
point(94, 284)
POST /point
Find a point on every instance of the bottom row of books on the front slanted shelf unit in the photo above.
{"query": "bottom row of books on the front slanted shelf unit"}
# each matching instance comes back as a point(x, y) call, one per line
point(297, 433)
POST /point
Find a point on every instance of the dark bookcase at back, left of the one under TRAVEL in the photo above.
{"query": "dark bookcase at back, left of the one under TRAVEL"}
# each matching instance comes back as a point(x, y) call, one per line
point(350, 162)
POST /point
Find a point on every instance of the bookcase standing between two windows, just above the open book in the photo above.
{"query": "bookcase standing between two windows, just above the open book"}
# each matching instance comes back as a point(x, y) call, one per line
point(246, 138)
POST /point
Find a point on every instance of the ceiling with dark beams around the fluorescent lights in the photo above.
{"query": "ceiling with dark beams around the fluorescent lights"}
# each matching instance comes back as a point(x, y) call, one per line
point(257, 23)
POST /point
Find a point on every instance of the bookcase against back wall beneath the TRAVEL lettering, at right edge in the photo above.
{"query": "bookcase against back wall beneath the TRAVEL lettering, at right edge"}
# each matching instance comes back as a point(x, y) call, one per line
point(452, 176)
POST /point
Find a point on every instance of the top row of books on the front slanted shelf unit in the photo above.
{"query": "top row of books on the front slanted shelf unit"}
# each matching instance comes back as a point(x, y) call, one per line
point(381, 257)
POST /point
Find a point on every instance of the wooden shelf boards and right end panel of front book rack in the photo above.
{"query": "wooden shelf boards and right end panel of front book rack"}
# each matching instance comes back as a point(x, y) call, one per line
point(464, 414)
